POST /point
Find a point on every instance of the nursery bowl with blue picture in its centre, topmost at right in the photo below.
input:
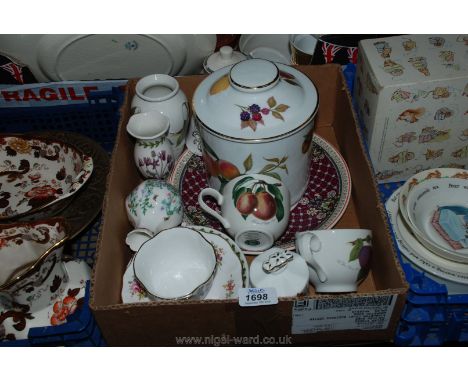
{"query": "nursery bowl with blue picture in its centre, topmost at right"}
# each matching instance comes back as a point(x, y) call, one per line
point(433, 204)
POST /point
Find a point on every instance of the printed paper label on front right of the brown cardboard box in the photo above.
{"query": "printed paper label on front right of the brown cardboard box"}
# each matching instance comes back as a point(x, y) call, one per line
point(364, 313)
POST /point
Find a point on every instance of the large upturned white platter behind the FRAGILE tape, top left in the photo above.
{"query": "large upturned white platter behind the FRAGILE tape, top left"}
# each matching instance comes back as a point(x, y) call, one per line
point(90, 57)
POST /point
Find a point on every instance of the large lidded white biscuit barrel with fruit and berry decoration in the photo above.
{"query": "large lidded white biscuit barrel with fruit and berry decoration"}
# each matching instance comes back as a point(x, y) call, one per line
point(257, 117)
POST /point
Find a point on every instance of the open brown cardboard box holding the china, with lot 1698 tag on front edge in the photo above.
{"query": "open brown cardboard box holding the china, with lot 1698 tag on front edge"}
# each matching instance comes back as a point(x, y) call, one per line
point(221, 322)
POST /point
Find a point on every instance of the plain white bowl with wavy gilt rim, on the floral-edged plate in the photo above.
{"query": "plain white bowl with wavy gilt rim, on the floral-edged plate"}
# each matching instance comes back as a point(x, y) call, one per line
point(176, 264)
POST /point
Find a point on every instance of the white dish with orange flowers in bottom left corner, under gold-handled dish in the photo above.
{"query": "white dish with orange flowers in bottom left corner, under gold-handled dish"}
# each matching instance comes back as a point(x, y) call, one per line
point(18, 321)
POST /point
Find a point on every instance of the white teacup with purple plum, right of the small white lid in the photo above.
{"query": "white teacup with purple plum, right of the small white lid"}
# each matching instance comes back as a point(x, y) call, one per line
point(338, 259)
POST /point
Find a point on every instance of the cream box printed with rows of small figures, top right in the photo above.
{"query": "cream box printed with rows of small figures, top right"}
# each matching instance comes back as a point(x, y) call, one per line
point(412, 99)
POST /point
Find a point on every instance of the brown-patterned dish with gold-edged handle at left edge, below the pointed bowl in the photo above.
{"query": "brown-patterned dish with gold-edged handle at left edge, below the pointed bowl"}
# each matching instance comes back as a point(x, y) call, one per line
point(29, 253)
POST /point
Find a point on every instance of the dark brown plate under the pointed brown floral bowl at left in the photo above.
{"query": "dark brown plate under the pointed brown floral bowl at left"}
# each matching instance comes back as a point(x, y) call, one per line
point(86, 205)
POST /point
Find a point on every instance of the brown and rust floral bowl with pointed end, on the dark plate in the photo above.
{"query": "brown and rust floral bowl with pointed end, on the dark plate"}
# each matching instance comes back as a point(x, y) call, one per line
point(38, 176)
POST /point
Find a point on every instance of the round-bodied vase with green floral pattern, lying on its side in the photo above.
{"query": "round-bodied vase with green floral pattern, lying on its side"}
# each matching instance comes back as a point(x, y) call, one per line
point(152, 206)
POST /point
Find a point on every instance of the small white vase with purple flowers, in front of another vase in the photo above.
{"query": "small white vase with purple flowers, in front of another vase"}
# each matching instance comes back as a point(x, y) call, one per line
point(153, 152)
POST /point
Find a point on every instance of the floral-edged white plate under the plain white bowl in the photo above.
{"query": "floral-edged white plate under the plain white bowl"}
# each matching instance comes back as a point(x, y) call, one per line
point(232, 273)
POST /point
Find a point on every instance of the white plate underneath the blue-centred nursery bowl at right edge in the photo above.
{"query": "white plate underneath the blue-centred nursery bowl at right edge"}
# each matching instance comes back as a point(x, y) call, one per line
point(415, 252)
